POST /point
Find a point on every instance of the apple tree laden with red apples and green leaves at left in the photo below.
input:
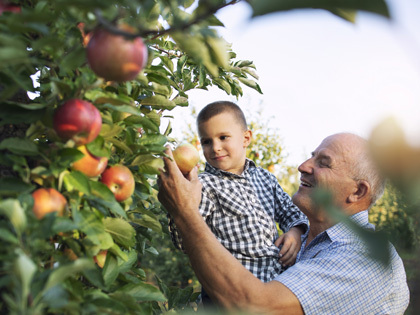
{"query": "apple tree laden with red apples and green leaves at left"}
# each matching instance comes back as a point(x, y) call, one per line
point(84, 90)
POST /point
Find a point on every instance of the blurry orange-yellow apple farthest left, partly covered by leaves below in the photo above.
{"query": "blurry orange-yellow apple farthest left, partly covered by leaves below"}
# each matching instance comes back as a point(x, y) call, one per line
point(47, 200)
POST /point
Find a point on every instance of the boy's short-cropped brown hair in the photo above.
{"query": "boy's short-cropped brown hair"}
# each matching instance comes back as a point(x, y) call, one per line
point(219, 107)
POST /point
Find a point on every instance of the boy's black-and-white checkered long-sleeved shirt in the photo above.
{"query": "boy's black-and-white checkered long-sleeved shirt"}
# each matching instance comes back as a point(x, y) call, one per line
point(242, 211)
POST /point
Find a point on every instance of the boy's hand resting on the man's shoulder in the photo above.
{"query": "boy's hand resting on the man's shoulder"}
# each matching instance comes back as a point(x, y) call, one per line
point(291, 243)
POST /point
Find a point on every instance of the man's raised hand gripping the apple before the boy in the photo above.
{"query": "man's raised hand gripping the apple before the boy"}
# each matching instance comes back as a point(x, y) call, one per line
point(178, 193)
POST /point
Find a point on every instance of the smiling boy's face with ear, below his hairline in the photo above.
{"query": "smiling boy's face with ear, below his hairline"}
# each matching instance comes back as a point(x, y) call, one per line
point(224, 142)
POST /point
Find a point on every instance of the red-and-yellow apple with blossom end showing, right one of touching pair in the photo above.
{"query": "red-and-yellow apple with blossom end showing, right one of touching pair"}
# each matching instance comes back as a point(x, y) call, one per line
point(119, 180)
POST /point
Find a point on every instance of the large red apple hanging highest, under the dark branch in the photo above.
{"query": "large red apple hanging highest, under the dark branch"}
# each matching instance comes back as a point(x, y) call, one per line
point(114, 57)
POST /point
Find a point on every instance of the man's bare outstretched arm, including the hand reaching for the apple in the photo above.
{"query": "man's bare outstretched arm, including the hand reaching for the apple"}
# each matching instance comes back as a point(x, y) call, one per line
point(222, 276)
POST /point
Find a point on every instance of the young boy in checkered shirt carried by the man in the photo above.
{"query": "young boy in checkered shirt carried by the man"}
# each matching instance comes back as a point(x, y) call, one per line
point(241, 202)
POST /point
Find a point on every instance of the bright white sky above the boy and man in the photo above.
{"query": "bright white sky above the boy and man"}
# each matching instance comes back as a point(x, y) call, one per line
point(321, 75)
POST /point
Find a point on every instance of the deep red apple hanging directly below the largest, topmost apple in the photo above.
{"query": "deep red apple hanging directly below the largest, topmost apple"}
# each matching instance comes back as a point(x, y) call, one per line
point(78, 120)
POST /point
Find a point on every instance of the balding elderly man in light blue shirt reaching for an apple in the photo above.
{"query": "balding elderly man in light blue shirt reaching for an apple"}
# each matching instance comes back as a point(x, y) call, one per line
point(333, 274)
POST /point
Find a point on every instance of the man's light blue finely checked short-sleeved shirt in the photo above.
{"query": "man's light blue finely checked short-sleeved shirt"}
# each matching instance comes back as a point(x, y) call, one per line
point(335, 275)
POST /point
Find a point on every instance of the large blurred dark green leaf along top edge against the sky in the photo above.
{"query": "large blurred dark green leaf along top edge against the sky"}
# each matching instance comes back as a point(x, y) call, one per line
point(261, 7)
